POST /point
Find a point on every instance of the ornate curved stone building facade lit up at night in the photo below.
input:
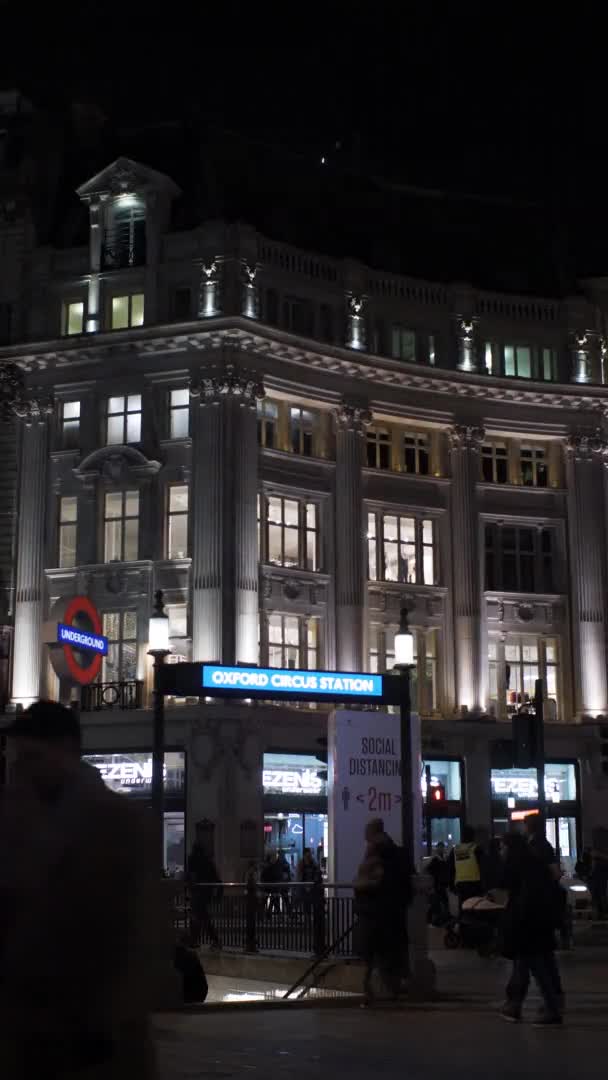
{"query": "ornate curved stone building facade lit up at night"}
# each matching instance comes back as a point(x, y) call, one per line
point(293, 449)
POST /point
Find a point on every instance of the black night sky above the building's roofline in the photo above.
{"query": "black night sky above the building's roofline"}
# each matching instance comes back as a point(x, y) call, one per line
point(485, 100)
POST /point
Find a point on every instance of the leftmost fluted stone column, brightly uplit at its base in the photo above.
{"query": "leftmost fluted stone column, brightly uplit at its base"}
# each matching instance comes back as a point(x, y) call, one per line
point(30, 593)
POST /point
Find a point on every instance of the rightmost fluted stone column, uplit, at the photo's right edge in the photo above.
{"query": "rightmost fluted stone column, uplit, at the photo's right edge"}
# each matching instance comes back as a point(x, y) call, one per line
point(587, 536)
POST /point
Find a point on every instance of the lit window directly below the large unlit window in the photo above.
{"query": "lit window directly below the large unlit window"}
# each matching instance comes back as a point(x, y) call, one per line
point(515, 666)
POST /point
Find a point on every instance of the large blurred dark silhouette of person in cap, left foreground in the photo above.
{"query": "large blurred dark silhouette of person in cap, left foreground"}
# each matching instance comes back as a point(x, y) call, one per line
point(86, 942)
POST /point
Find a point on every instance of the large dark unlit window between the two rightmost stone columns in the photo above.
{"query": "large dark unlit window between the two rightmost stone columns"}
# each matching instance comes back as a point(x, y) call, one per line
point(520, 559)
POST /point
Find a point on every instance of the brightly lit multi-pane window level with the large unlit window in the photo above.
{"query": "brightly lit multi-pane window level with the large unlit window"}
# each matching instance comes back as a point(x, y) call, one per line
point(401, 549)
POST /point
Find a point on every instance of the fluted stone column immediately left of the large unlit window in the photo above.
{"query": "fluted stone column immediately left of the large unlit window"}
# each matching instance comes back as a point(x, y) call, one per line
point(465, 444)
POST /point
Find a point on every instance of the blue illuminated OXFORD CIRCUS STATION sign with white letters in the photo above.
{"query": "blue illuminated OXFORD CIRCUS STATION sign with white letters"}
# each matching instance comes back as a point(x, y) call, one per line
point(276, 682)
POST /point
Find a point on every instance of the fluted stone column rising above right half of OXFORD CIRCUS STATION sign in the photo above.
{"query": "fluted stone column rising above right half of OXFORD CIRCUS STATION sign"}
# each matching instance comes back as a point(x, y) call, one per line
point(350, 533)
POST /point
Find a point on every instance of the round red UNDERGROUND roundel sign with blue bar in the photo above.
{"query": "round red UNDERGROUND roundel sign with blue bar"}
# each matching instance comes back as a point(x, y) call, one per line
point(76, 640)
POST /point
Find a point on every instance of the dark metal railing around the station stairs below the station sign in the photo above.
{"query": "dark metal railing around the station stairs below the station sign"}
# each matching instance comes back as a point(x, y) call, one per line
point(302, 919)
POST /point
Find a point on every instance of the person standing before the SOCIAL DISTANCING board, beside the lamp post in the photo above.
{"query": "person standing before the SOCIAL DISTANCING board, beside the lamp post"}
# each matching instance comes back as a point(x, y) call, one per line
point(383, 892)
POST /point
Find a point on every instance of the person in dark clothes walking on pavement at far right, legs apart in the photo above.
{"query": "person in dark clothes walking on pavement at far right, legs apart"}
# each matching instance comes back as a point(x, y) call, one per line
point(529, 931)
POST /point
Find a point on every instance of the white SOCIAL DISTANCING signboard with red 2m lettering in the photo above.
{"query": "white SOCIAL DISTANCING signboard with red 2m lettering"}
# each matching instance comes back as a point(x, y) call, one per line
point(364, 762)
